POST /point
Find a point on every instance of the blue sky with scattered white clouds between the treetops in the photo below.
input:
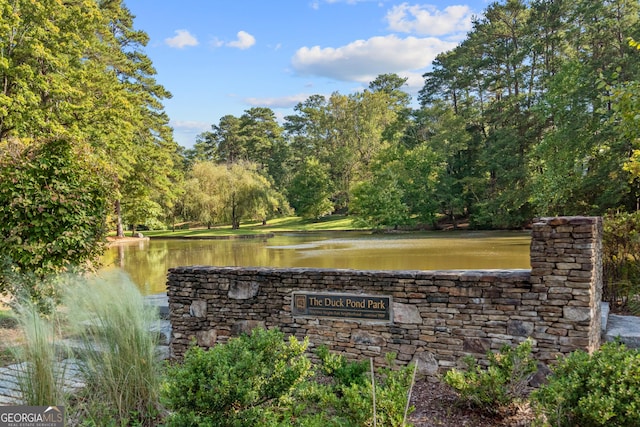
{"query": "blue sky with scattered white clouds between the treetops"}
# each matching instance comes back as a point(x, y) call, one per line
point(220, 57)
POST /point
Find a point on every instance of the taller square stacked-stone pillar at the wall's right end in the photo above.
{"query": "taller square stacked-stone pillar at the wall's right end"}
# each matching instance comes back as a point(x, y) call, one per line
point(566, 272)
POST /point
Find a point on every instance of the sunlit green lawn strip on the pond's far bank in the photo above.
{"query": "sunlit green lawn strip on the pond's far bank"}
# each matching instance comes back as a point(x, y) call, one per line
point(333, 223)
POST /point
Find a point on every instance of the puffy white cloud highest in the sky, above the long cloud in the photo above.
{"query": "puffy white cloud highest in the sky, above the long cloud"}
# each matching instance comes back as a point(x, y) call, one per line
point(428, 20)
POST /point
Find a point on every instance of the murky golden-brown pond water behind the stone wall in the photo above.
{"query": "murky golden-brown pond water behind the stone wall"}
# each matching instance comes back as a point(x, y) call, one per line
point(147, 262)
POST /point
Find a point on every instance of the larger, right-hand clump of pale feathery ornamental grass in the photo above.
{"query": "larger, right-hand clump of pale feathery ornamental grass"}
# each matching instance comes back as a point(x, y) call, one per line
point(120, 365)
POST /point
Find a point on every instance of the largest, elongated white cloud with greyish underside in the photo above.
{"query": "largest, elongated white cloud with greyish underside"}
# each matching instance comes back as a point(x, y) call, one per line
point(364, 60)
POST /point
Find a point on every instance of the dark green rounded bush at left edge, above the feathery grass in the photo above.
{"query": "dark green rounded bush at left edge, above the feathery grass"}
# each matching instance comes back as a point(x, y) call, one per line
point(53, 205)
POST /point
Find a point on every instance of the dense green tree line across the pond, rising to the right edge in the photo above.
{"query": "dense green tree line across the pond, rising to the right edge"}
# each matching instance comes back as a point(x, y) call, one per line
point(534, 113)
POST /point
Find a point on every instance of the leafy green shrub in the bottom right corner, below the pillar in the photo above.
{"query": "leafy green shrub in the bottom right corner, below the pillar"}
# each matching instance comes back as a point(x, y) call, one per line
point(592, 390)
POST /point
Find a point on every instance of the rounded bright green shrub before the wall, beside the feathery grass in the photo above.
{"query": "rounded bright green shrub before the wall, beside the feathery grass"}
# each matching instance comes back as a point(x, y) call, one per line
point(235, 383)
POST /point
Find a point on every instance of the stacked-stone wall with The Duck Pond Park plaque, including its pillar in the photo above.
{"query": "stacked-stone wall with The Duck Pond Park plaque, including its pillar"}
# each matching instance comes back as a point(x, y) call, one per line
point(432, 316)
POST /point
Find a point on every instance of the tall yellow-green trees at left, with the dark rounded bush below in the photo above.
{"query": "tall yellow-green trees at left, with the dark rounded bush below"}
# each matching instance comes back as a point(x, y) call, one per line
point(84, 140)
